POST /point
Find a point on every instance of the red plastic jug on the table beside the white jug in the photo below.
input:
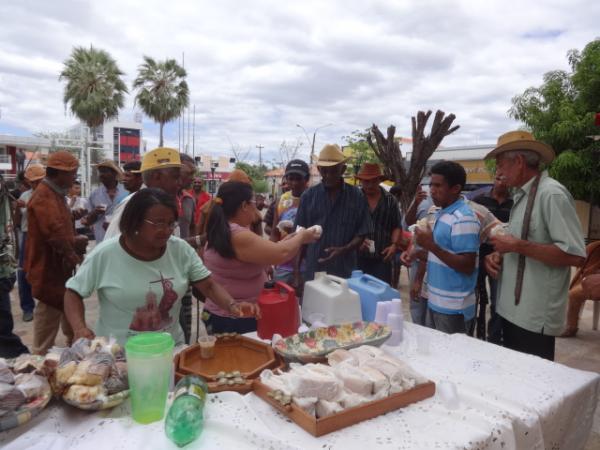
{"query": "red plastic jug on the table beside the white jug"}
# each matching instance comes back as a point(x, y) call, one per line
point(279, 311)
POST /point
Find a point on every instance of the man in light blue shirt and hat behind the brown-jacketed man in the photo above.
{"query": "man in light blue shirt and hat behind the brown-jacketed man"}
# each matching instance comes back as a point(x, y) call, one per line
point(105, 197)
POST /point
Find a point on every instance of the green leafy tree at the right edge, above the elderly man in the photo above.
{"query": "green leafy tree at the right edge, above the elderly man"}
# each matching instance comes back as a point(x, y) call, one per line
point(561, 113)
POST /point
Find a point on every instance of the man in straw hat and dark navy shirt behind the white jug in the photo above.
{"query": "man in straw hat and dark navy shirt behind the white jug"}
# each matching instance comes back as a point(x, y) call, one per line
point(343, 213)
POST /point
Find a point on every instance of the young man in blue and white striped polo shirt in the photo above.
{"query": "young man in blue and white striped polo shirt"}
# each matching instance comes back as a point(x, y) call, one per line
point(452, 248)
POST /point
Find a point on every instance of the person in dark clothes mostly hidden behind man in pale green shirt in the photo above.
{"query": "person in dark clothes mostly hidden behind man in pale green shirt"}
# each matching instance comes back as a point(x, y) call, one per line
point(497, 200)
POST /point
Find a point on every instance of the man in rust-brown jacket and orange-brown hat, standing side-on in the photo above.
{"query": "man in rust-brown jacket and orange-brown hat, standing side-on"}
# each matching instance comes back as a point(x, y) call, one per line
point(53, 250)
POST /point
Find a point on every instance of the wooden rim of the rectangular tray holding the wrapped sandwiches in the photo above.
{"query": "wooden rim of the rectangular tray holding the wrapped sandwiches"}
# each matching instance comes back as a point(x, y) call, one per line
point(350, 416)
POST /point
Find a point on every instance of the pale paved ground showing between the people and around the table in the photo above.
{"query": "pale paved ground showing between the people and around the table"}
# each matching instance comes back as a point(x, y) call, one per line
point(581, 352)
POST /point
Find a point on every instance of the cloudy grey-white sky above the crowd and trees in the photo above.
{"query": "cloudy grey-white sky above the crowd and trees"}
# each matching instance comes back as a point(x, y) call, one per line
point(258, 68)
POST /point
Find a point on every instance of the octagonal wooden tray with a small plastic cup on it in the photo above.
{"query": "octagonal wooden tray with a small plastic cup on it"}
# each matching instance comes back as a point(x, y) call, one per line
point(232, 353)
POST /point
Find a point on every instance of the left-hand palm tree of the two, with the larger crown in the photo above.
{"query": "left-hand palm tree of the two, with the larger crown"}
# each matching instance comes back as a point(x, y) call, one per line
point(94, 90)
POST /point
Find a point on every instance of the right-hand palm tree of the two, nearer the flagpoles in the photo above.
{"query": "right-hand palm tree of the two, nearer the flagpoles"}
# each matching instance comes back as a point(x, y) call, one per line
point(162, 91)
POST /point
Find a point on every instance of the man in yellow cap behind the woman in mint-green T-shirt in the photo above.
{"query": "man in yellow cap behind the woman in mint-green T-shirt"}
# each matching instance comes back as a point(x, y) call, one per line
point(161, 168)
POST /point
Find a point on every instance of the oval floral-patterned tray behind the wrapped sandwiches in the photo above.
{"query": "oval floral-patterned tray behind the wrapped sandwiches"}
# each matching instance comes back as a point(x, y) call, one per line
point(314, 345)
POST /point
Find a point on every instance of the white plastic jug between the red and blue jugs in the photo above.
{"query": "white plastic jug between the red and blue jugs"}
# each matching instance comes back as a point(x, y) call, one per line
point(331, 298)
